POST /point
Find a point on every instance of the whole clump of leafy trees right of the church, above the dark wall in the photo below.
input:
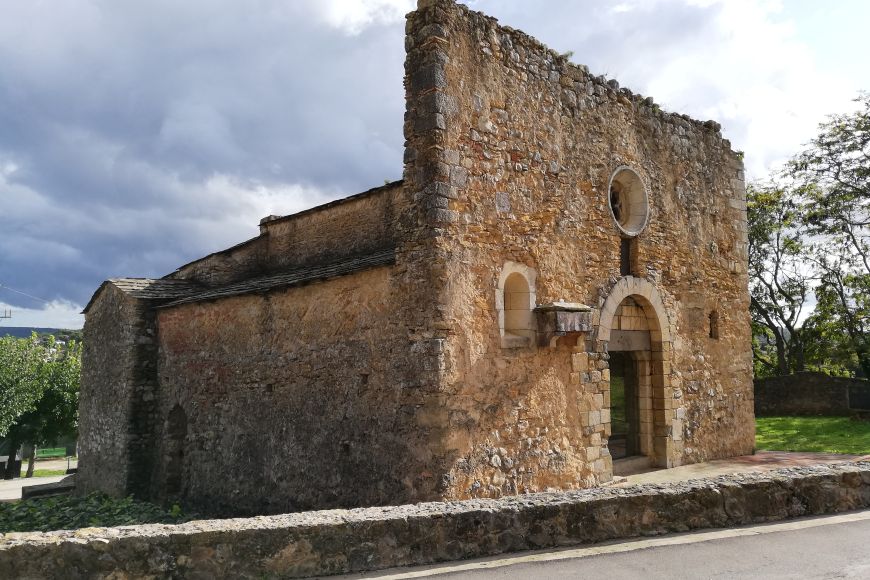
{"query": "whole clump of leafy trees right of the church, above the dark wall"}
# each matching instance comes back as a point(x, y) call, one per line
point(809, 242)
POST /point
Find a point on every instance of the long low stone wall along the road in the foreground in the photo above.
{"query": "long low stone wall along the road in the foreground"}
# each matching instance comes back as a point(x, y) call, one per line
point(337, 541)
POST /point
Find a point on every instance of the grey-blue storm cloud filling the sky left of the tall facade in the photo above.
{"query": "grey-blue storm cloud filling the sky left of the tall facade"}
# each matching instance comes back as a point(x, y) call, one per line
point(136, 135)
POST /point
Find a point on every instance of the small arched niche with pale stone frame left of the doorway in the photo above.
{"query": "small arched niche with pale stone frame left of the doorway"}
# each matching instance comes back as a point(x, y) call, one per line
point(515, 304)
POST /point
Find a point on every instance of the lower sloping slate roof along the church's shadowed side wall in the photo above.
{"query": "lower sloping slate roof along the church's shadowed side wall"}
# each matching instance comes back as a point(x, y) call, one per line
point(295, 277)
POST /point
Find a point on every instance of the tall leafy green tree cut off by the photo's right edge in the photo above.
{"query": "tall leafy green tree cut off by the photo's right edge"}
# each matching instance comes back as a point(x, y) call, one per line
point(834, 178)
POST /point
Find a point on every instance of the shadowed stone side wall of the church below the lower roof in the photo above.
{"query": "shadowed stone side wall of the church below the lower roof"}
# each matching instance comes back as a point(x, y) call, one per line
point(297, 399)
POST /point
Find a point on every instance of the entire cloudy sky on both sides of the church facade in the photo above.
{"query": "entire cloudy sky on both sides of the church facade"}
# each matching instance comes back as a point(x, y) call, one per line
point(136, 136)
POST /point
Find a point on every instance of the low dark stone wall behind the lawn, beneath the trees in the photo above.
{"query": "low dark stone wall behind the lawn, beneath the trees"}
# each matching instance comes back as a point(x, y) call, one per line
point(811, 393)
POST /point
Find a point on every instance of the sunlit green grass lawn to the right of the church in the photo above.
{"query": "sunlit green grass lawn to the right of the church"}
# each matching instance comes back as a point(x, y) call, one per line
point(822, 434)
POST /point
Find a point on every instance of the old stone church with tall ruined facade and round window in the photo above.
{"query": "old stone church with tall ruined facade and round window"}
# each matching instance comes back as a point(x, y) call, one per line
point(555, 291)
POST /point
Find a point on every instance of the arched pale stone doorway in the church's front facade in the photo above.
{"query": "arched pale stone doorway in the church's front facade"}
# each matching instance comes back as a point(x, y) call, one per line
point(634, 329)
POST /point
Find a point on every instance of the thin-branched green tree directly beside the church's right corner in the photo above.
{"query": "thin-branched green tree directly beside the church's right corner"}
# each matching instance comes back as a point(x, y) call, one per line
point(780, 282)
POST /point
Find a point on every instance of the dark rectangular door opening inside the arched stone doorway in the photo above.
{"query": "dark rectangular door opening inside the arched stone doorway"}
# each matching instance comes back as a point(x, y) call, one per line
point(624, 408)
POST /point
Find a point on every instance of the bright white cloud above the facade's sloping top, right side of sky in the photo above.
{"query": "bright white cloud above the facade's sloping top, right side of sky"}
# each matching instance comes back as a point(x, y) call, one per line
point(748, 64)
